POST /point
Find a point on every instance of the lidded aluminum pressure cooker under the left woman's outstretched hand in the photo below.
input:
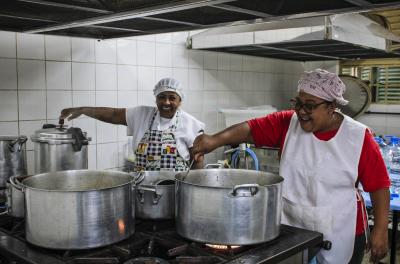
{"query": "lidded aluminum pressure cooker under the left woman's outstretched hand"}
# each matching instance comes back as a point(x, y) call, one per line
point(60, 148)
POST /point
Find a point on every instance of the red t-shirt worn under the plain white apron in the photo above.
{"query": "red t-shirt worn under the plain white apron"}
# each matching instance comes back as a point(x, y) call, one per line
point(271, 131)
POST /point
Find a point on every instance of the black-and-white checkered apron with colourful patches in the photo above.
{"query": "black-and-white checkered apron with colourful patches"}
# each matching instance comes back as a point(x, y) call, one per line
point(157, 150)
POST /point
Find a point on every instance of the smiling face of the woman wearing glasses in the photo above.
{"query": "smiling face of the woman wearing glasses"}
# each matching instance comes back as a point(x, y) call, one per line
point(314, 113)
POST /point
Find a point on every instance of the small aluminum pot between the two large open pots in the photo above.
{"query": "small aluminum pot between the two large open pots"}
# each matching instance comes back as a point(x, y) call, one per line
point(155, 195)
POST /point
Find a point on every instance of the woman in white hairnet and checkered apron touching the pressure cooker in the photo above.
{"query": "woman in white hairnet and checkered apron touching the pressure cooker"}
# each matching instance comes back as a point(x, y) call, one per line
point(162, 136)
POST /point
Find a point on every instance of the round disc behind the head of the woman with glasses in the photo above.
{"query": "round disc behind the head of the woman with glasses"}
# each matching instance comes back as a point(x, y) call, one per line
point(358, 94)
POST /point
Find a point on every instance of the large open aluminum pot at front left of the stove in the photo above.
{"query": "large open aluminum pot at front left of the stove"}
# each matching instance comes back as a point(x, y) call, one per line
point(79, 209)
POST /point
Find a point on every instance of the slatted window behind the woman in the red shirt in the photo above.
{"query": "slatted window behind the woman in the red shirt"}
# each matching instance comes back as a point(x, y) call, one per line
point(382, 76)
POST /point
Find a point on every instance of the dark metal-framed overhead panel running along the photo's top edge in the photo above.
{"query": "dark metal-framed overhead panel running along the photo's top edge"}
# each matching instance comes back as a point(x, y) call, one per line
point(104, 19)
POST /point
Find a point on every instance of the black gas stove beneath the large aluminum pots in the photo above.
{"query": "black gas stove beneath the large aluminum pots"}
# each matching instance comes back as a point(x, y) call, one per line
point(158, 243)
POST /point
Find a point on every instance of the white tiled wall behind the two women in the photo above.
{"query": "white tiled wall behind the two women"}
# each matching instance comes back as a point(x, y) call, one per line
point(42, 74)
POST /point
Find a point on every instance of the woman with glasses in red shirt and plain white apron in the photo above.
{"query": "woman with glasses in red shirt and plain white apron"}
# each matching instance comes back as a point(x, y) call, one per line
point(324, 155)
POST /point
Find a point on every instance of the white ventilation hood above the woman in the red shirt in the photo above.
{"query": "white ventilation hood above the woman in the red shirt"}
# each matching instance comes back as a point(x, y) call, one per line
point(334, 37)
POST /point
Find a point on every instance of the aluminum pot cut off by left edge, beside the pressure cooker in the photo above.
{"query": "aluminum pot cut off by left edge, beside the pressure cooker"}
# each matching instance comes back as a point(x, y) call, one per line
point(12, 158)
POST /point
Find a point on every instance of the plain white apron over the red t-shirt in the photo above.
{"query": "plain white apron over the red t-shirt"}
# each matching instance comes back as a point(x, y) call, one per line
point(319, 188)
